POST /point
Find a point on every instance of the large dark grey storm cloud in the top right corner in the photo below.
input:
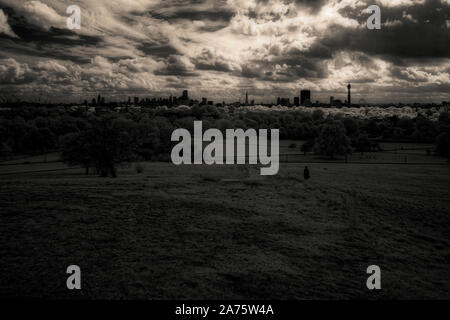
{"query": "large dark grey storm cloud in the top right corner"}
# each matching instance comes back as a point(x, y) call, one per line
point(414, 32)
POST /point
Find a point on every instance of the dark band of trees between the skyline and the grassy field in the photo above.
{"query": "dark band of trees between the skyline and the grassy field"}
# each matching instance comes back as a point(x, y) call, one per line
point(104, 139)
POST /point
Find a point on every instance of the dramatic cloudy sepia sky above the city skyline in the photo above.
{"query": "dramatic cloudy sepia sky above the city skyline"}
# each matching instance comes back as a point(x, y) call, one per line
point(222, 48)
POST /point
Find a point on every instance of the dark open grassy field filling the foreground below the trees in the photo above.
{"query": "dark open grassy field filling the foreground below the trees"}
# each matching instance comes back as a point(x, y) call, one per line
point(204, 232)
